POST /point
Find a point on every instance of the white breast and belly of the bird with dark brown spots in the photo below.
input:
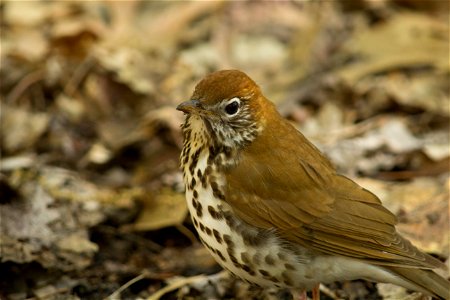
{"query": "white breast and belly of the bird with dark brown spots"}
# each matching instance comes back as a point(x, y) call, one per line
point(255, 255)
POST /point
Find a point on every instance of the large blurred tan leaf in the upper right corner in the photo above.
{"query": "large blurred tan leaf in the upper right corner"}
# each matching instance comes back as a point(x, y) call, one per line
point(406, 40)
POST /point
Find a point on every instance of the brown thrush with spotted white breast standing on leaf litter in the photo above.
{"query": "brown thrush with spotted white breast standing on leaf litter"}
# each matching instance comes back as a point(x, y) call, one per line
point(271, 208)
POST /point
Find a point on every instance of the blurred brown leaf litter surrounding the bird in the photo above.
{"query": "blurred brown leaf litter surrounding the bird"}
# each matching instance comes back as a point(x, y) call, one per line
point(92, 200)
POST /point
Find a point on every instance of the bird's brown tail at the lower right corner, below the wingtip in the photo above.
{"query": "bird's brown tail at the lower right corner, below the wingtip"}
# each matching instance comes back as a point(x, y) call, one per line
point(427, 280)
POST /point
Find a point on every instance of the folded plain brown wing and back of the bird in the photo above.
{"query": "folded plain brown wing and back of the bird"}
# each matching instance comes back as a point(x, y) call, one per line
point(292, 187)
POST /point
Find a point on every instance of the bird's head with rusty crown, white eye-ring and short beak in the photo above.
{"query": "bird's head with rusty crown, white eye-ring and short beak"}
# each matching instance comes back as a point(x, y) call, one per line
point(228, 103)
